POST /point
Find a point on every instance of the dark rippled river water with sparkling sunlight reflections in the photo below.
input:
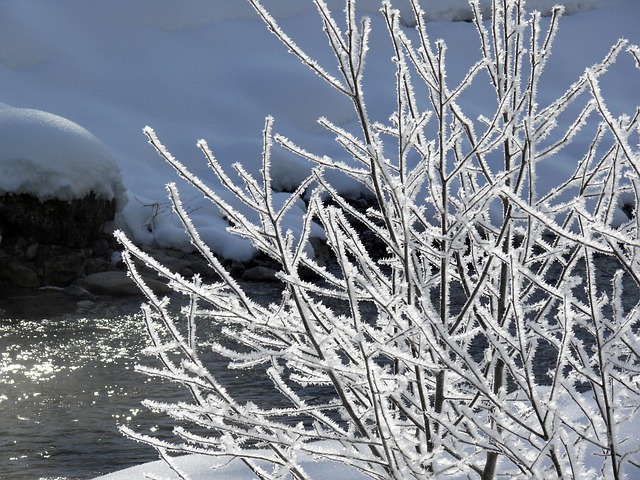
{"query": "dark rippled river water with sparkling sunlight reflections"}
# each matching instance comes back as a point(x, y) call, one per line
point(67, 381)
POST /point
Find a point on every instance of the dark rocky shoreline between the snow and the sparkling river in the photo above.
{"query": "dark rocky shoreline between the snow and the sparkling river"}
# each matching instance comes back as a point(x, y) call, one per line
point(86, 261)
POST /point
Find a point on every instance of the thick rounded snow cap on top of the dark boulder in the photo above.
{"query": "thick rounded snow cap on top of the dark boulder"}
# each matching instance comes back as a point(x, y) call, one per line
point(48, 156)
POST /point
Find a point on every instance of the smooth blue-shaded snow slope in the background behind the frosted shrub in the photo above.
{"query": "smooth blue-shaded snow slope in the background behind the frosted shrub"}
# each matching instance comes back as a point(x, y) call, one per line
point(209, 69)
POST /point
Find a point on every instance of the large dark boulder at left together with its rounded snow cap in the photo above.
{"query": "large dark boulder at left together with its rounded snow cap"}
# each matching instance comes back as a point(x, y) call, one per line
point(59, 188)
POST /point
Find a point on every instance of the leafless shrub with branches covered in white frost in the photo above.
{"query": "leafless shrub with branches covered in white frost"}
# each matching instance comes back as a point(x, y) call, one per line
point(485, 339)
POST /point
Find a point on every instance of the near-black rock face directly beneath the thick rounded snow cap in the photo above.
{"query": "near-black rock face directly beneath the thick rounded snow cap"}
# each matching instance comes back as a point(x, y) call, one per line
point(73, 223)
